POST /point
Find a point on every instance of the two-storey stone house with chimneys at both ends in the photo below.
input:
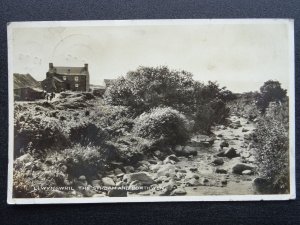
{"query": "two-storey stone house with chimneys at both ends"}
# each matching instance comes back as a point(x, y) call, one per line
point(59, 78)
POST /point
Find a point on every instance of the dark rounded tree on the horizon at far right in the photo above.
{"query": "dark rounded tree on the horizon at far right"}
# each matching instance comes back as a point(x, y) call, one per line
point(271, 91)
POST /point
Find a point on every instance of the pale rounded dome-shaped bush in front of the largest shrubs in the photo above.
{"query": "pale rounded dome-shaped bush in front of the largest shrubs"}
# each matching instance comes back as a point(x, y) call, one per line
point(166, 123)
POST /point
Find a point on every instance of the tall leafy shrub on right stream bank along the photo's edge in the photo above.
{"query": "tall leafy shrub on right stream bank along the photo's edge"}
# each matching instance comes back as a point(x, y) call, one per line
point(272, 139)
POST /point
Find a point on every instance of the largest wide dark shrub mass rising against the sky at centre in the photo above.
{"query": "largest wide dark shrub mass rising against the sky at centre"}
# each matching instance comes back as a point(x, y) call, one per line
point(148, 88)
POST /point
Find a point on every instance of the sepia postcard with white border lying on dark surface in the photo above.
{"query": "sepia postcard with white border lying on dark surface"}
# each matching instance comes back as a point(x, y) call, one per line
point(151, 110)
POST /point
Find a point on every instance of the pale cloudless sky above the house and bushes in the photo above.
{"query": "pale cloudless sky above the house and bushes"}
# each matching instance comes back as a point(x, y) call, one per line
point(240, 56)
